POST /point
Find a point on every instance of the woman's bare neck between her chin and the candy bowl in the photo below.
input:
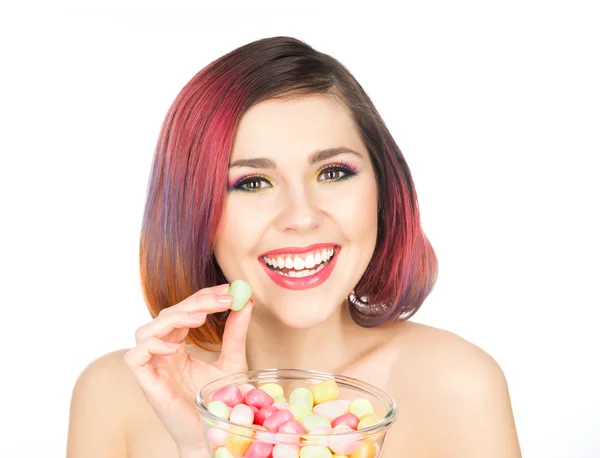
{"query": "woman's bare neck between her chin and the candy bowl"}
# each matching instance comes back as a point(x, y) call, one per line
point(329, 347)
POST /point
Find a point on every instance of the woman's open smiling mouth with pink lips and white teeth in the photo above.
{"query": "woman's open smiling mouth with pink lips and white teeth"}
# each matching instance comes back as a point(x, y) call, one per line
point(300, 268)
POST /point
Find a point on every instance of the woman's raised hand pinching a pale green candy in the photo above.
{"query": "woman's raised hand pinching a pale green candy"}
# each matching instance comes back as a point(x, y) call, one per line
point(170, 378)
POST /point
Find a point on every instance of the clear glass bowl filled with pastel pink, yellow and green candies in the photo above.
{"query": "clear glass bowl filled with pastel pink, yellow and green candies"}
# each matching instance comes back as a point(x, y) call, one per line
point(292, 413)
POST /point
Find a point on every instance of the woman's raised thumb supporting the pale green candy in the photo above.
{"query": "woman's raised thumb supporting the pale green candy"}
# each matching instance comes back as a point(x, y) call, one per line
point(233, 350)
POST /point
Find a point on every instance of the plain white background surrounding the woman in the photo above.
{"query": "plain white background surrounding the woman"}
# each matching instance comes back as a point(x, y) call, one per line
point(495, 105)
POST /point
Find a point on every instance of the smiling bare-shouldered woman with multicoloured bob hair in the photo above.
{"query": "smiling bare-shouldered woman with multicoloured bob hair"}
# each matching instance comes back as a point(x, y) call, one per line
point(273, 166)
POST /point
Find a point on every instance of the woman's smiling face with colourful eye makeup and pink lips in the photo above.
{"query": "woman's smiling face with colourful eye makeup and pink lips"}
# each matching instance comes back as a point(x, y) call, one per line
point(300, 216)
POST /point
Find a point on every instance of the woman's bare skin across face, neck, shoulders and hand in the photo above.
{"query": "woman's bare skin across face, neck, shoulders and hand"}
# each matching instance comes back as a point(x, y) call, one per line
point(452, 397)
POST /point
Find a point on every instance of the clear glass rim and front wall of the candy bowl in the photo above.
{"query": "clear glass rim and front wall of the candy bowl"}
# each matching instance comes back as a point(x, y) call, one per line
point(226, 439)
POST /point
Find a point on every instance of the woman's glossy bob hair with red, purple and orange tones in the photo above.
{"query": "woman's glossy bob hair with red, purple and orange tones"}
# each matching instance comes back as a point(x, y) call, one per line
point(188, 183)
